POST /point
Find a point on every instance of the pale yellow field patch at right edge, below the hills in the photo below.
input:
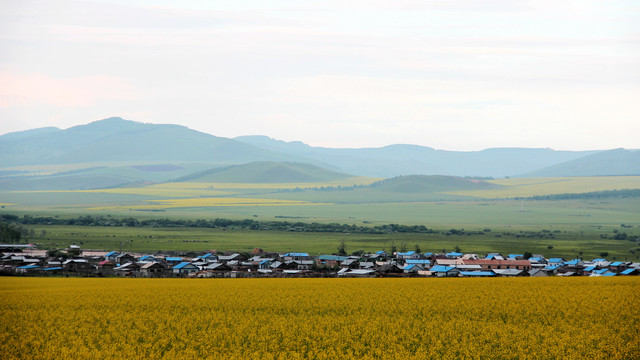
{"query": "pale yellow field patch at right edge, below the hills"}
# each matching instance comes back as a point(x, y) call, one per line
point(524, 187)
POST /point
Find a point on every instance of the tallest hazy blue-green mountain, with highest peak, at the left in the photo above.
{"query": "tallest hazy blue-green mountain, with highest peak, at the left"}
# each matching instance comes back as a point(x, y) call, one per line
point(117, 140)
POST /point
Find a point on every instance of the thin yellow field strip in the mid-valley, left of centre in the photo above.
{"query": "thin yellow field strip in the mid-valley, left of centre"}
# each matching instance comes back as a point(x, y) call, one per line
point(208, 202)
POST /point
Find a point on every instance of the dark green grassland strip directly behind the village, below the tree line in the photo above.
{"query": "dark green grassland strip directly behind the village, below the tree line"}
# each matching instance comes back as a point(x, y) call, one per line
point(149, 240)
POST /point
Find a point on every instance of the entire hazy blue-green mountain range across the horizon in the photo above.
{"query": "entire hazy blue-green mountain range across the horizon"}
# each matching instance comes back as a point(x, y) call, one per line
point(131, 151)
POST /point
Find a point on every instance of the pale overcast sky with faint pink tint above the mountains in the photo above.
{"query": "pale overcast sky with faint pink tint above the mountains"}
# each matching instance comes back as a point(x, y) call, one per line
point(454, 75)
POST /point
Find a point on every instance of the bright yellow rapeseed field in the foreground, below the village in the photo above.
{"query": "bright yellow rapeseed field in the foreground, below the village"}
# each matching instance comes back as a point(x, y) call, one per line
point(529, 318)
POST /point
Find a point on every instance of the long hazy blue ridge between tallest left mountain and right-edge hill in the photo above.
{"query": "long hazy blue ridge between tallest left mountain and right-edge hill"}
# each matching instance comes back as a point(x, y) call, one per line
point(401, 159)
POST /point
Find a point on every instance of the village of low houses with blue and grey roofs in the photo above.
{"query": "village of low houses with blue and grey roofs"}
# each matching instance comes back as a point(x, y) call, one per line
point(23, 260)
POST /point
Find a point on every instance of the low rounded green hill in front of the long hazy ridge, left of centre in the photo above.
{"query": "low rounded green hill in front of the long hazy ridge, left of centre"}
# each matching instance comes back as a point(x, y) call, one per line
point(266, 172)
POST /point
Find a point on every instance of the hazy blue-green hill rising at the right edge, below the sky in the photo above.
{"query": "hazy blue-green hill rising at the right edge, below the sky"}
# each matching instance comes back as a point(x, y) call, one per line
point(612, 162)
